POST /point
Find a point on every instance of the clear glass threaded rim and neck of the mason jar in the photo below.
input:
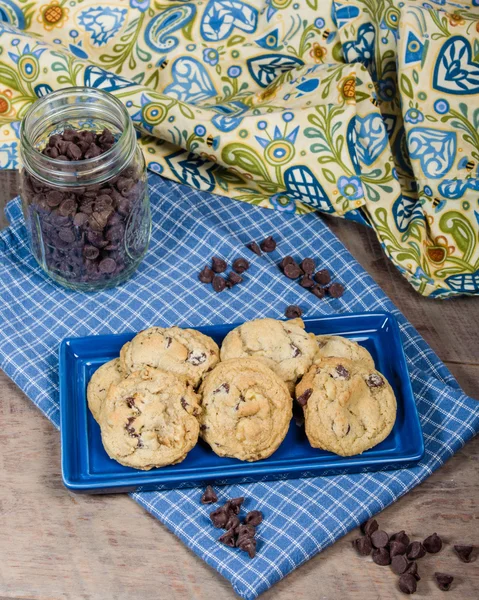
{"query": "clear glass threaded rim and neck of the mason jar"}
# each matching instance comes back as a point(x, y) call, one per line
point(76, 172)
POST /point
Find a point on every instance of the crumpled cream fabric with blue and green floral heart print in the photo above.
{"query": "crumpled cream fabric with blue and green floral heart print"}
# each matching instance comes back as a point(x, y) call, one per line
point(365, 109)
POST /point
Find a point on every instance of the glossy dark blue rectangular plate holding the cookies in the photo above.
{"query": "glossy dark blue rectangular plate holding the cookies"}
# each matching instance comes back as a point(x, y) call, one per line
point(87, 468)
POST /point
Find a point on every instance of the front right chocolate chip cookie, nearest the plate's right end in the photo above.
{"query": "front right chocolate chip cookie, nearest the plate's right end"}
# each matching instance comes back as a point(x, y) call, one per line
point(348, 408)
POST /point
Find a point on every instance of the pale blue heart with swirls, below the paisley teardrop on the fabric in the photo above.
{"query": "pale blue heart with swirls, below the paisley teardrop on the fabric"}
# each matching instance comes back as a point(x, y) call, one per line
point(191, 82)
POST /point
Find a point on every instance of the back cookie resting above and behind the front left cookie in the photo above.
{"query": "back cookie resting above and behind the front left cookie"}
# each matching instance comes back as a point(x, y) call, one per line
point(185, 352)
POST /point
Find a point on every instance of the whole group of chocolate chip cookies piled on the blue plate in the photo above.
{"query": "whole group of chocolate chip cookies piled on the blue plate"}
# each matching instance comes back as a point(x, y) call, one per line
point(172, 385)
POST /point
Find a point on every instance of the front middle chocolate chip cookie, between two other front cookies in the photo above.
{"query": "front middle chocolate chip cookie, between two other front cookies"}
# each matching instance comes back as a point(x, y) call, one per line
point(246, 409)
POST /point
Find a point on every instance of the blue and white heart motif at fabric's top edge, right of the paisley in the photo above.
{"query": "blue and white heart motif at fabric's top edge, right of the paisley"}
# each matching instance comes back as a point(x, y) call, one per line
point(221, 17)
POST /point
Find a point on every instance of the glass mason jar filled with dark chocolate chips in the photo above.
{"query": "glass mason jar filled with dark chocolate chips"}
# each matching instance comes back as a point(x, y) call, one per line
point(87, 211)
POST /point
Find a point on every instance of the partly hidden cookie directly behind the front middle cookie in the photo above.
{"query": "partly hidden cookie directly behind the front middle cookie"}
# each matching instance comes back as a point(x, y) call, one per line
point(284, 346)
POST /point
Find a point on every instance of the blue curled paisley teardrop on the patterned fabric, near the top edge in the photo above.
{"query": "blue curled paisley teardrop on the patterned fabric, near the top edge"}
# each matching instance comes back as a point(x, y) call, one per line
point(159, 29)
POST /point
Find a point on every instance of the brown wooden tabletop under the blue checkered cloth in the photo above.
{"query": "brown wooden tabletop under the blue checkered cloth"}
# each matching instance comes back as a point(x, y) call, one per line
point(55, 545)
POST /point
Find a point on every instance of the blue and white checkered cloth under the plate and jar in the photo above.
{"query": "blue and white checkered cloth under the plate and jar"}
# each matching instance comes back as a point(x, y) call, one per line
point(304, 516)
